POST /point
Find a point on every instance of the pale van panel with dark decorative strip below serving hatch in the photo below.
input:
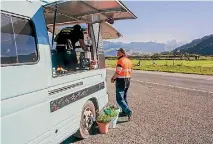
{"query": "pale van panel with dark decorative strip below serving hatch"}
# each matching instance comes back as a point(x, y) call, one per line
point(66, 104)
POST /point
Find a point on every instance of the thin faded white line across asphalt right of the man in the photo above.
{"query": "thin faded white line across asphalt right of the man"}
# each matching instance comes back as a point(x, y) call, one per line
point(191, 89)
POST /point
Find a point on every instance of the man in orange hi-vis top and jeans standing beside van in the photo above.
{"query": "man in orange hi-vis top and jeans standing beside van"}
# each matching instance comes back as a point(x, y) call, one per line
point(122, 78)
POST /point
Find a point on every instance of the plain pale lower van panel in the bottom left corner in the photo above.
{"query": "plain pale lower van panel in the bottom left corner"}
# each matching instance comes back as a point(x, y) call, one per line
point(27, 125)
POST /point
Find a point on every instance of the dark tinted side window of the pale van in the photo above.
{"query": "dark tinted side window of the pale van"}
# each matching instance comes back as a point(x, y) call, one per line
point(18, 41)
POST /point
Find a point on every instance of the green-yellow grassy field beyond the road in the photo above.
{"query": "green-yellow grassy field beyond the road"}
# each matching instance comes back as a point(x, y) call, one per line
point(204, 67)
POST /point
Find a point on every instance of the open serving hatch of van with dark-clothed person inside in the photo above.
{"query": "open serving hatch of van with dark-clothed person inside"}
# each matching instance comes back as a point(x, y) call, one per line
point(69, 57)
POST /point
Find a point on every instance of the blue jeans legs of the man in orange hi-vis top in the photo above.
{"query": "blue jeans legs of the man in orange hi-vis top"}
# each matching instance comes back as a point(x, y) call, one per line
point(120, 100)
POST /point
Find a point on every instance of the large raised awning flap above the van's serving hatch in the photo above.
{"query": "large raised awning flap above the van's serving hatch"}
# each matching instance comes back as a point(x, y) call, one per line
point(86, 11)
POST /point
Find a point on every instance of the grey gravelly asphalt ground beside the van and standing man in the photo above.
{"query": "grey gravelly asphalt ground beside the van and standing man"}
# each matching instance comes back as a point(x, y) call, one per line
point(167, 109)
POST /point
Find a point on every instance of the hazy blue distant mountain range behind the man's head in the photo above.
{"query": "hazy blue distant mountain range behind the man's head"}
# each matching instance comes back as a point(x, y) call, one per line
point(140, 47)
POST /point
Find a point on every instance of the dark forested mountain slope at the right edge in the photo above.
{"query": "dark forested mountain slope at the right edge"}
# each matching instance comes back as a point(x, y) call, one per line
point(203, 46)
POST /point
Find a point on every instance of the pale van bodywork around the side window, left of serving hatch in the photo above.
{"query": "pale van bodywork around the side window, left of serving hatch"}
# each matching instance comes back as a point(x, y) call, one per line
point(25, 102)
